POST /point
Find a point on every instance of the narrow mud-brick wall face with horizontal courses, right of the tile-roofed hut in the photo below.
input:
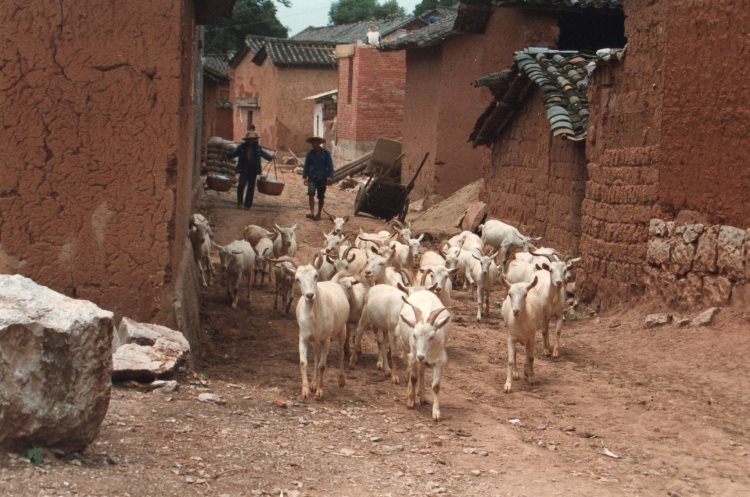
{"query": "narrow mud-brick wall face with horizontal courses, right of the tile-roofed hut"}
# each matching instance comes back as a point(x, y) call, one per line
point(623, 153)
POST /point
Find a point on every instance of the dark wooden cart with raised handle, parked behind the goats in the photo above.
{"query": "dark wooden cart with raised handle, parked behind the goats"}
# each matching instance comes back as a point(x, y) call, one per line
point(382, 197)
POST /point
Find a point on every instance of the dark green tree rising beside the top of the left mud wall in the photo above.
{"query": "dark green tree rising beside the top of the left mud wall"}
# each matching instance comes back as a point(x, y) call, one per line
point(249, 17)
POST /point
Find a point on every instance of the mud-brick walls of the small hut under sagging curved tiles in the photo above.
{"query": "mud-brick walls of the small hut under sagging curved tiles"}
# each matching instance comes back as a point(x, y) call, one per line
point(536, 181)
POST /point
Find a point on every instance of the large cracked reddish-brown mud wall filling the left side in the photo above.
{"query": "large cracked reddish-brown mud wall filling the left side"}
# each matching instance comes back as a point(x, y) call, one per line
point(95, 105)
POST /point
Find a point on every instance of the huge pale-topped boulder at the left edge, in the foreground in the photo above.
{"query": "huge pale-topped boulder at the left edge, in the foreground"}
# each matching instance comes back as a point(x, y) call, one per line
point(55, 367)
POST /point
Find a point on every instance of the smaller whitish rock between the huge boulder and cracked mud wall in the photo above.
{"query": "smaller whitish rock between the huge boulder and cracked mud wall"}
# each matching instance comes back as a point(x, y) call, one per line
point(145, 352)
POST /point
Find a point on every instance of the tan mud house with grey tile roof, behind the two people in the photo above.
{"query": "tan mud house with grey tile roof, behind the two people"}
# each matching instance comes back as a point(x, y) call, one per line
point(270, 79)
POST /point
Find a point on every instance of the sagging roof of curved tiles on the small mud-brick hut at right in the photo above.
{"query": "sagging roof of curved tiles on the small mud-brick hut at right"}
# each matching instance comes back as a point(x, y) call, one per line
point(562, 77)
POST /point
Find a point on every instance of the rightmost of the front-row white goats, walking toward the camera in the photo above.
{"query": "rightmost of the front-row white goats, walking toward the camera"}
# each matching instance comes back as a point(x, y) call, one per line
point(521, 312)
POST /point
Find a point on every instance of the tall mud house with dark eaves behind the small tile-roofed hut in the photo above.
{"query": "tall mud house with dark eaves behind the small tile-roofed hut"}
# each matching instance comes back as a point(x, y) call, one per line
point(445, 58)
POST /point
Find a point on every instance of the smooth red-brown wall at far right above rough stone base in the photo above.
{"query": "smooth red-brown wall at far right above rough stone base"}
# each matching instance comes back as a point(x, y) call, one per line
point(705, 114)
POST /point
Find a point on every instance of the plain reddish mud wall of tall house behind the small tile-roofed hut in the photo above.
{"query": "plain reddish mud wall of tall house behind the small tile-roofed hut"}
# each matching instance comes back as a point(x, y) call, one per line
point(453, 161)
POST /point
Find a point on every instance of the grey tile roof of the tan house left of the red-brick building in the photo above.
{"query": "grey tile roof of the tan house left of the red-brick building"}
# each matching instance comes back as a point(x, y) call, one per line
point(293, 53)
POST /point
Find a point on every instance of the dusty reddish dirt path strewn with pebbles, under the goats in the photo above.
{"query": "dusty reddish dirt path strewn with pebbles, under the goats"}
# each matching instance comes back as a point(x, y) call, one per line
point(671, 403)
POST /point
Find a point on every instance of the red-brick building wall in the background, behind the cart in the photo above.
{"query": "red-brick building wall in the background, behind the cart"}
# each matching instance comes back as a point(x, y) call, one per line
point(377, 95)
